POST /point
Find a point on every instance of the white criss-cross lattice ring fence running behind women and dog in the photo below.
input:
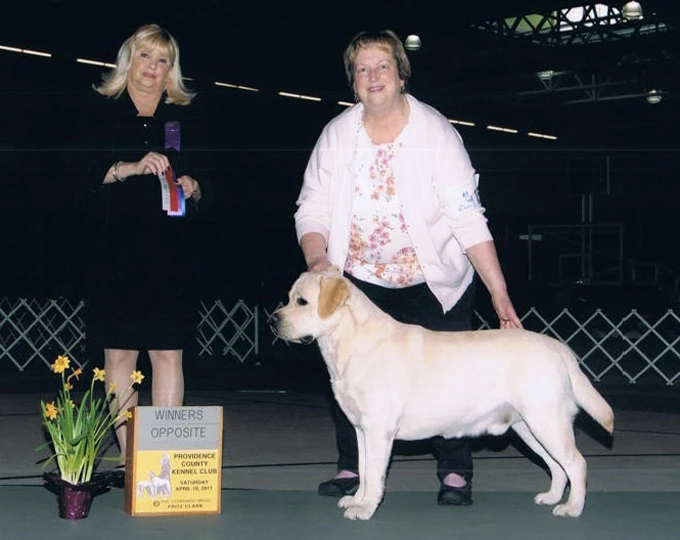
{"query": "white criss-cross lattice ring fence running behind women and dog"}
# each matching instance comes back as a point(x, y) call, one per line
point(631, 348)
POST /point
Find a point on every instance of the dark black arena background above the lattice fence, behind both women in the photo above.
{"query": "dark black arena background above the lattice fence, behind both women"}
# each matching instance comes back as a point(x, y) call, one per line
point(255, 145)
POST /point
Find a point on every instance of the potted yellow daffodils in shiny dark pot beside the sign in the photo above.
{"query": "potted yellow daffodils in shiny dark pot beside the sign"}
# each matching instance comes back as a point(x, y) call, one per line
point(76, 432)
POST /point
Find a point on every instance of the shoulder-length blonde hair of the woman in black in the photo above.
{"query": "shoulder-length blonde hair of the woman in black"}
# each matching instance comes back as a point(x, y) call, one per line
point(148, 36)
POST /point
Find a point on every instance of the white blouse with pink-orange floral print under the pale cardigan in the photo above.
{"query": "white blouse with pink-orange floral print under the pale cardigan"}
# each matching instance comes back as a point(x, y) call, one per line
point(380, 249)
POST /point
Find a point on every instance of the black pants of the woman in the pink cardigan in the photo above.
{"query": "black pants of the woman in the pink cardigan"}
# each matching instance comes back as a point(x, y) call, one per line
point(414, 305)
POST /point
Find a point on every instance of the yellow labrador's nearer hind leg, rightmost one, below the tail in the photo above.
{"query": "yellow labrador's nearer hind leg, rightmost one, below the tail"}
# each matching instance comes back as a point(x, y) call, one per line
point(556, 434)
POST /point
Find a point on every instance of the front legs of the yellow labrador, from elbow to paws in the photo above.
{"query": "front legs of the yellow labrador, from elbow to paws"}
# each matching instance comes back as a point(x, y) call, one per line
point(375, 447)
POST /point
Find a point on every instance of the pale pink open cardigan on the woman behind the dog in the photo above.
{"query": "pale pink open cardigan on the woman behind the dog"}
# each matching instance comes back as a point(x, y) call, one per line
point(437, 187)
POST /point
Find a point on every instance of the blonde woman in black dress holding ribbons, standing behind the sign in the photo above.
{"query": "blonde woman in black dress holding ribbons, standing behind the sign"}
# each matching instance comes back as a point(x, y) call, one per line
point(142, 286)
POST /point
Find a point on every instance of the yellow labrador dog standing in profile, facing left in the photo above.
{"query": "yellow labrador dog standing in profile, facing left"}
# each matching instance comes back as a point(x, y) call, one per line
point(401, 381)
